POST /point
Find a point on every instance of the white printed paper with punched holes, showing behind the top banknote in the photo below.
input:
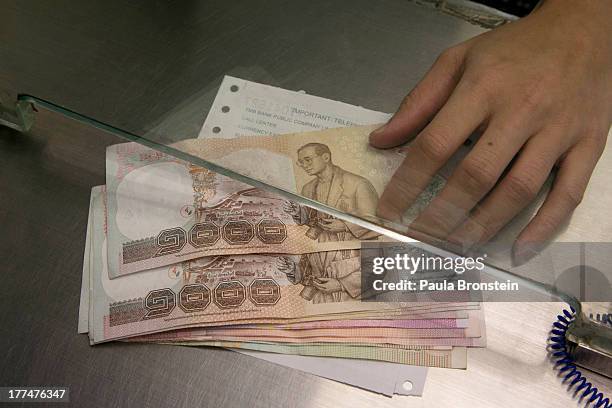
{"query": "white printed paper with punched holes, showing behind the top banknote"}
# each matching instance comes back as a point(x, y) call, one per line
point(245, 108)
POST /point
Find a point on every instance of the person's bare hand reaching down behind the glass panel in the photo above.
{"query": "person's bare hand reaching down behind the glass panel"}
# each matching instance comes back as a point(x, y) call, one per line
point(540, 90)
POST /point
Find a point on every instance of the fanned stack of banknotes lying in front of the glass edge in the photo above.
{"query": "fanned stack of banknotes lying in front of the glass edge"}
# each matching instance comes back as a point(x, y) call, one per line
point(178, 254)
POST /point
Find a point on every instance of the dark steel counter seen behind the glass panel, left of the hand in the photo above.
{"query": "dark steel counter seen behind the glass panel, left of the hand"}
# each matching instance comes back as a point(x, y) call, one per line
point(132, 64)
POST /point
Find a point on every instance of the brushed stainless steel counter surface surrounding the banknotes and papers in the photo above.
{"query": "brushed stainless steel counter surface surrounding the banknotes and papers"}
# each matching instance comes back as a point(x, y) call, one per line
point(133, 65)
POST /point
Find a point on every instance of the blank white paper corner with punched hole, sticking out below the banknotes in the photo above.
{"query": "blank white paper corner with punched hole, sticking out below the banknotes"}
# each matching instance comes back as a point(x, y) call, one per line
point(383, 378)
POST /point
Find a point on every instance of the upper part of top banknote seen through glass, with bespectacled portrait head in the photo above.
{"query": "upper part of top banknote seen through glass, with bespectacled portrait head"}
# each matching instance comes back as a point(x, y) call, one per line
point(335, 168)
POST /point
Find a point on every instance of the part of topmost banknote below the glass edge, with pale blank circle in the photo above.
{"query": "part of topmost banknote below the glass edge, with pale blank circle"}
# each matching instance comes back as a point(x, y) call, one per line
point(162, 210)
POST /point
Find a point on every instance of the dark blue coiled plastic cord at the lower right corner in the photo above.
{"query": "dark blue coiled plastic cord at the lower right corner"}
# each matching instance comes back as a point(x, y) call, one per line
point(565, 363)
